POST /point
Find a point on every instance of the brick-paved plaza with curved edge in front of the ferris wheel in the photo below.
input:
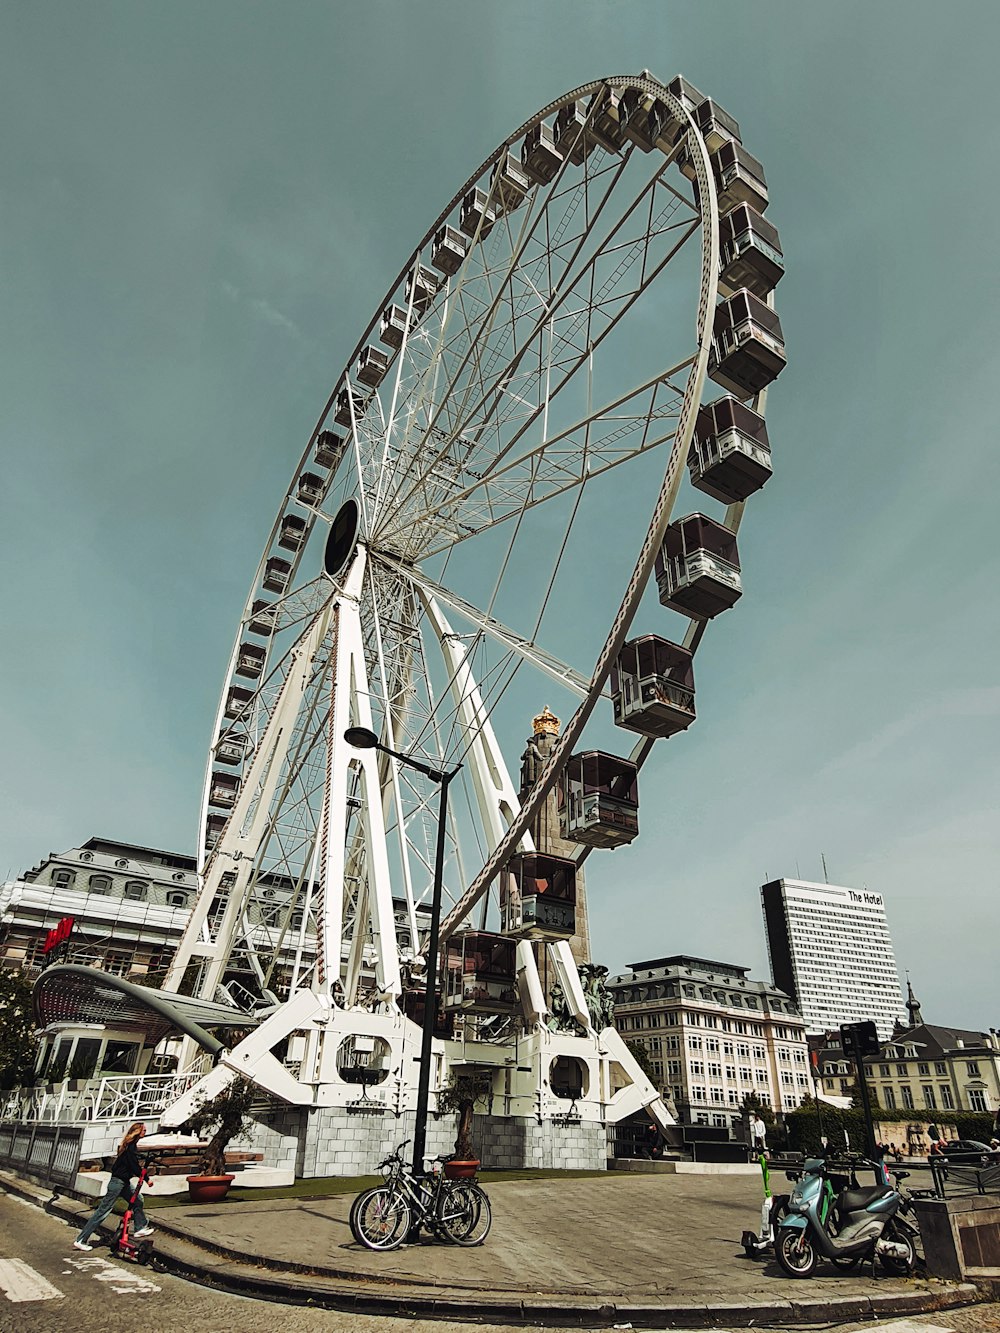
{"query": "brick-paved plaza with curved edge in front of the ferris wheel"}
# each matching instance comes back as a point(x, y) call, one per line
point(599, 1250)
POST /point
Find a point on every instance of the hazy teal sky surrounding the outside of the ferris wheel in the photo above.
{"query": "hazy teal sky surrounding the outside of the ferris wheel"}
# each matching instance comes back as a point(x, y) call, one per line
point(201, 207)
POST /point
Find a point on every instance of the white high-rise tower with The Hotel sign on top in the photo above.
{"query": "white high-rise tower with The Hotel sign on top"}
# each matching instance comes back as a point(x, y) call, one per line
point(831, 951)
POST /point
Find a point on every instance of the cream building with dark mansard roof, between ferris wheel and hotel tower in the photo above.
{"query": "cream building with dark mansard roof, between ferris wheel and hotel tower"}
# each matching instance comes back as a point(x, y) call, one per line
point(714, 1036)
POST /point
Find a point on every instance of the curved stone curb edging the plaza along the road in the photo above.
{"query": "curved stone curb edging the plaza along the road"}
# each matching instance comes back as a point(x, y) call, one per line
point(345, 1294)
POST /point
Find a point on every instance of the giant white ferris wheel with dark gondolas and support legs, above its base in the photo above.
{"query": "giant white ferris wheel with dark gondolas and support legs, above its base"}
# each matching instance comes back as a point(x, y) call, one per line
point(482, 518)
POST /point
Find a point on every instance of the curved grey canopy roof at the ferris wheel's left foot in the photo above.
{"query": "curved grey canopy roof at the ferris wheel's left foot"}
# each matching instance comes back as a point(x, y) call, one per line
point(73, 994)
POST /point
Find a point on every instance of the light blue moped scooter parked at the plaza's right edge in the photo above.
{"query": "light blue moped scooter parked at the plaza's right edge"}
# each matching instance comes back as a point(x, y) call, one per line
point(854, 1226)
